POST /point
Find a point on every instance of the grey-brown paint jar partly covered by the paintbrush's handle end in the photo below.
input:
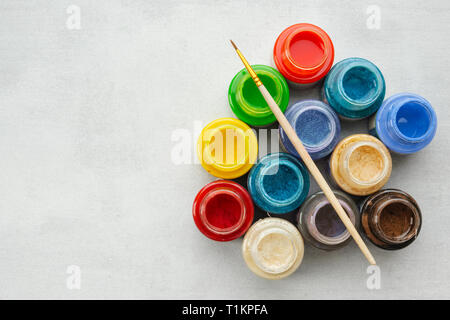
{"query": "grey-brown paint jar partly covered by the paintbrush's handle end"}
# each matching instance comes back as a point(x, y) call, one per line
point(319, 223)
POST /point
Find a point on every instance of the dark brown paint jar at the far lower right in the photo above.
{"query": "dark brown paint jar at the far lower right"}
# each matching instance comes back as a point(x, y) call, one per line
point(391, 219)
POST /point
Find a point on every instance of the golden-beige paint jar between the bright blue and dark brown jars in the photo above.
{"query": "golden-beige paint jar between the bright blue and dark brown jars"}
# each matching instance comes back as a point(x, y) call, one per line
point(360, 164)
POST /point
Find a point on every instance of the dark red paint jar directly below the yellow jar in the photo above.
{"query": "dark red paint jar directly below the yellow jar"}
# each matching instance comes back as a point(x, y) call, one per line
point(223, 210)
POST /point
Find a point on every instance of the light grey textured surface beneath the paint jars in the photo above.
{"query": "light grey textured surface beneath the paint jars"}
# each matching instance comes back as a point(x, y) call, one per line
point(86, 123)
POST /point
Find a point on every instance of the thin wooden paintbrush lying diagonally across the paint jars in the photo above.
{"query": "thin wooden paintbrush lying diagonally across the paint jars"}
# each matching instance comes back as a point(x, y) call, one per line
point(296, 142)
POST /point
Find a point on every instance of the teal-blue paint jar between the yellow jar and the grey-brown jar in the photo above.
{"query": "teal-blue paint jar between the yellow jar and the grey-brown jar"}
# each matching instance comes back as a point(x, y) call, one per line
point(278, 183)
